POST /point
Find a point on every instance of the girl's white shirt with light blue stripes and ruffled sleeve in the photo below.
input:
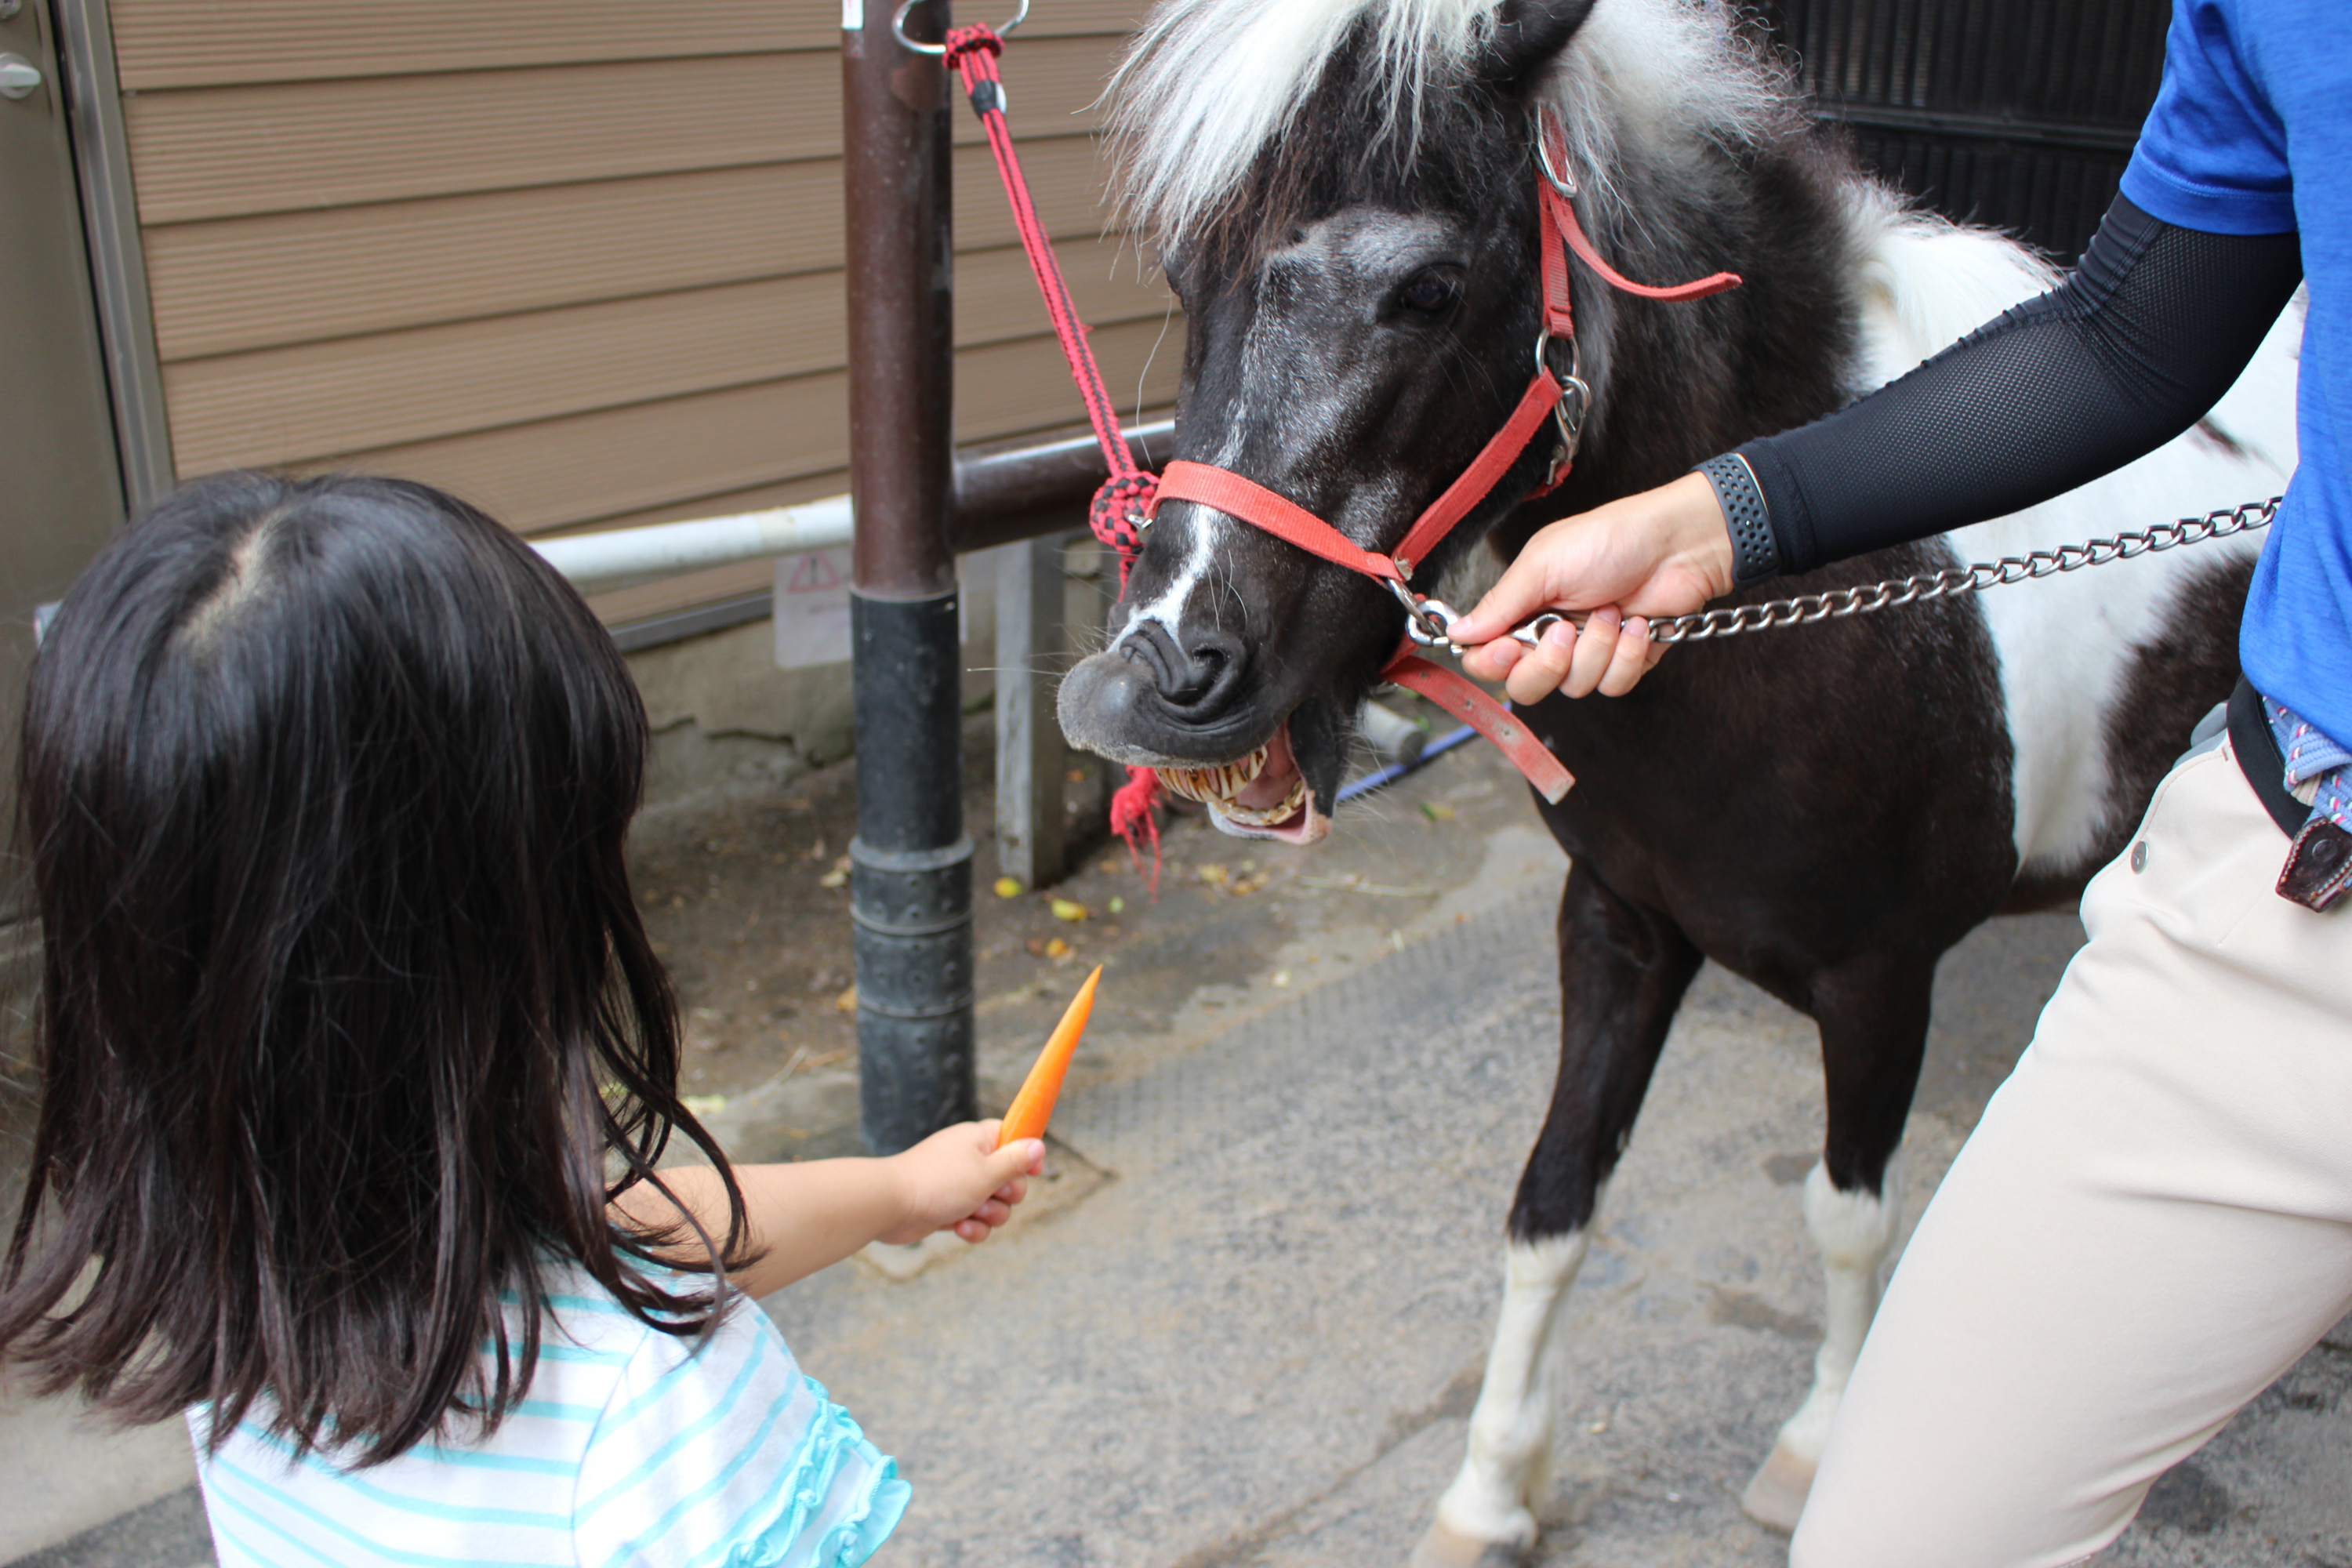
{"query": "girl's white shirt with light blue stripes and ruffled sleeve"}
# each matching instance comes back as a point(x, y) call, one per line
point(629, 1452)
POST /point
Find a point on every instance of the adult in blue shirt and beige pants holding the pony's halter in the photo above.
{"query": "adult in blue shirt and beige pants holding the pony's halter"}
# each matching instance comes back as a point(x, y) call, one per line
point(2156, 1214)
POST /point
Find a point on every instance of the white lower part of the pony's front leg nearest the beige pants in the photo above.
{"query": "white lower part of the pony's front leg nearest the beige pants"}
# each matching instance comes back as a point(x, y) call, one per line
point(1852, 1233)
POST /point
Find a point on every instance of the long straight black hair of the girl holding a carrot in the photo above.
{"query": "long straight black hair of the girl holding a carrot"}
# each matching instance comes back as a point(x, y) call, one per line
point(345, 1003)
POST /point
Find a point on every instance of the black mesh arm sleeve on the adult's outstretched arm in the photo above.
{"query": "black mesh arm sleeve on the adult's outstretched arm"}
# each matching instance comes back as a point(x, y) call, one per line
point(2125, 356)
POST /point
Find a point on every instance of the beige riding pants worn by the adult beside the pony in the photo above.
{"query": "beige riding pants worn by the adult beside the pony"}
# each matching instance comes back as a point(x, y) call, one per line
point(2151, 1224)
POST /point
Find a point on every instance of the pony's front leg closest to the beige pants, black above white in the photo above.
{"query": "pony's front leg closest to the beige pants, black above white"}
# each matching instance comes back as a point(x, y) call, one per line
point(1873, 1031)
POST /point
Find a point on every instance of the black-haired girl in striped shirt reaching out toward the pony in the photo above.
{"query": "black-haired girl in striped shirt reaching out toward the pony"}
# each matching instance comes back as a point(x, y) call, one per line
point(359, 1066)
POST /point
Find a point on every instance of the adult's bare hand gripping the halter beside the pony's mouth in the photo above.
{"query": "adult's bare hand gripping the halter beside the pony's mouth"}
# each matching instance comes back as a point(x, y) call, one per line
point(1659, 554)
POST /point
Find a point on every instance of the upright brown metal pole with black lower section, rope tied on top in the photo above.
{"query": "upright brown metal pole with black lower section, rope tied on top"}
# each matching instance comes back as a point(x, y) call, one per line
point(911, 864)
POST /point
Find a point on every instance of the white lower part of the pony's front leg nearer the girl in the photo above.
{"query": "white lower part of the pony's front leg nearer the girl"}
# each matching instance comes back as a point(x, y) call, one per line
point(1511, 1428)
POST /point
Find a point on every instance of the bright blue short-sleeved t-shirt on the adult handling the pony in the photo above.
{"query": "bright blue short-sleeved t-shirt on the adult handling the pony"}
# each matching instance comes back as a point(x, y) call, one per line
point(2252, 135)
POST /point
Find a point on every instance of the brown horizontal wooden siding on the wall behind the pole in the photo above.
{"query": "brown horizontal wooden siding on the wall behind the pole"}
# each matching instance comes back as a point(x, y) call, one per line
point(580, 267)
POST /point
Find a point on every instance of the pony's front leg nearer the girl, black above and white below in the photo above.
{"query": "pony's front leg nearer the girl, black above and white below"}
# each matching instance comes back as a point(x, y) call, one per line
point(1624, 972)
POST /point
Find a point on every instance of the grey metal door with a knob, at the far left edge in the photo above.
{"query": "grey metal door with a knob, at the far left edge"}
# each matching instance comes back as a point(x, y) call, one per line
point(60, 478)
